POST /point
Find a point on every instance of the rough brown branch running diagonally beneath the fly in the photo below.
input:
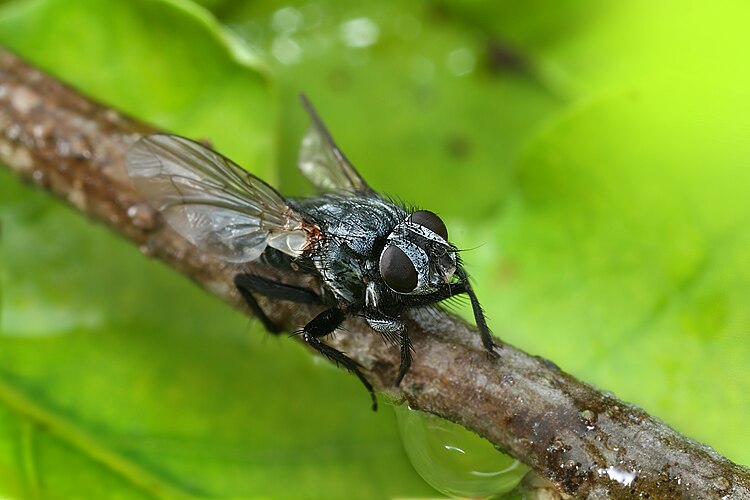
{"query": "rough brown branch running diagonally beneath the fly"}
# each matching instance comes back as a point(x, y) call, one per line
point(586, 442)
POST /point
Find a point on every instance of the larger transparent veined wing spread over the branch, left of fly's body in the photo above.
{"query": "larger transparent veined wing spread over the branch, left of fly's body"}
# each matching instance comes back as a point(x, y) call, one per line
point(213, 202)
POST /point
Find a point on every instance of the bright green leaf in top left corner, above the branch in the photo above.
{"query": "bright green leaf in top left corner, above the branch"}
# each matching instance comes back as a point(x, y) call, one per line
point(168, 62)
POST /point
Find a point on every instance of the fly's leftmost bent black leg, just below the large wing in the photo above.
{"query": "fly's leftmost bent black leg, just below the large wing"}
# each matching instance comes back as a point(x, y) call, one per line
point(248, 284)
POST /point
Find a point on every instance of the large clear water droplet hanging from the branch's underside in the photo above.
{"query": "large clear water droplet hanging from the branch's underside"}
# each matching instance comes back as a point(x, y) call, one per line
point(453, 460)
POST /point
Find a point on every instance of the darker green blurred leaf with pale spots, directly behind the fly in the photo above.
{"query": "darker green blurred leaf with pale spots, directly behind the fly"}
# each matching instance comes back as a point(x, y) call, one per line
point(410, 110)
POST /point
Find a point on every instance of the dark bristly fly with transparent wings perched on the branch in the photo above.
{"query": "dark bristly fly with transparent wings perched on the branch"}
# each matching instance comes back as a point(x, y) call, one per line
point(374, 258)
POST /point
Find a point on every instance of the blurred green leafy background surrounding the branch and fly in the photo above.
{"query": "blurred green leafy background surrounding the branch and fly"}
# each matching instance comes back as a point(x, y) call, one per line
point(594, 156)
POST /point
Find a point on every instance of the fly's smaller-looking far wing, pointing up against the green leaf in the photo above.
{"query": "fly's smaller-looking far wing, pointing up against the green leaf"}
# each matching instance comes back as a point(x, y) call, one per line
point(323, 163)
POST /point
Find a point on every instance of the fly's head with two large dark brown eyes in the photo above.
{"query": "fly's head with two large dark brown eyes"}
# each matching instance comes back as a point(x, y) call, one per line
point(417, 258)
